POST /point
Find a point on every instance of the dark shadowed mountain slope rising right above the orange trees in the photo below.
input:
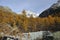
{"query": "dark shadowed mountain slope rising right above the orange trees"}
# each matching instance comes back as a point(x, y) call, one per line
point(54, 10)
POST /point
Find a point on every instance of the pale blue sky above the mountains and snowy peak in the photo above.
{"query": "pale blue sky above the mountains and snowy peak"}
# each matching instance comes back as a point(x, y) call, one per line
point(33, 5)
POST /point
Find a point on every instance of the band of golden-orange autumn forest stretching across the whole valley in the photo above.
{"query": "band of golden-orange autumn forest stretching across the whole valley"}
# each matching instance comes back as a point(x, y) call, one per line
point(12, 23)
